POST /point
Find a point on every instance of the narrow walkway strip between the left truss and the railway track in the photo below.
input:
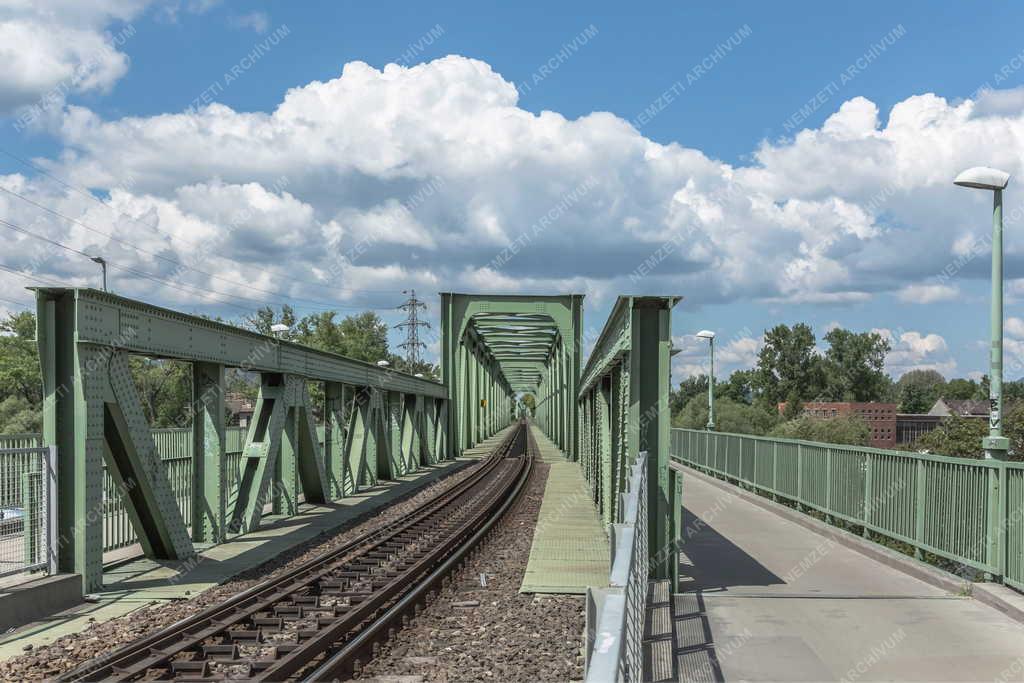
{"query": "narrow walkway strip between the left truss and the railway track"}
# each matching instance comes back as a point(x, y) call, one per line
point(140, 583)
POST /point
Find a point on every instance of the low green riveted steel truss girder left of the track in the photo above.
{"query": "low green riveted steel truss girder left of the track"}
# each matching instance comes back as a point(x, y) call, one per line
point(84, 338)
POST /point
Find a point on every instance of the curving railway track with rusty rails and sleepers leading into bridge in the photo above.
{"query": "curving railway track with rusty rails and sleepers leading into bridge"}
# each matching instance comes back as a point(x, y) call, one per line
point(322, 620)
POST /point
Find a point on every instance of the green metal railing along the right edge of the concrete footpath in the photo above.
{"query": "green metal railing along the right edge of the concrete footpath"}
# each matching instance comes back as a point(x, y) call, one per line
point(967, 511)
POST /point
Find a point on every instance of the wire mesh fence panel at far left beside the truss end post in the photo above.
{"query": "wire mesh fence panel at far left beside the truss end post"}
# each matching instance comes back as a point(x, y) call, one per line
point(28, 510)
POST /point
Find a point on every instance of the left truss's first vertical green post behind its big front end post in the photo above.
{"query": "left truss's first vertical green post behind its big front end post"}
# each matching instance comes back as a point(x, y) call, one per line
point(209, 506)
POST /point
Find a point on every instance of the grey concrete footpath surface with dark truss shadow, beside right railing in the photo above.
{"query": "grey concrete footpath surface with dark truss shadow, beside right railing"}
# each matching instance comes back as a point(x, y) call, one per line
point(767, 600)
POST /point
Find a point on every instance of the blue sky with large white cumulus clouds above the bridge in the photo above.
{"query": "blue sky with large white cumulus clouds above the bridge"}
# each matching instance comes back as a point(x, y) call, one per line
point(660, 184)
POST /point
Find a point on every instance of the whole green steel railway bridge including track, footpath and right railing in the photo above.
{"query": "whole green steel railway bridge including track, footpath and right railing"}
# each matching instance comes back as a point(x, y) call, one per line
point(703, 556)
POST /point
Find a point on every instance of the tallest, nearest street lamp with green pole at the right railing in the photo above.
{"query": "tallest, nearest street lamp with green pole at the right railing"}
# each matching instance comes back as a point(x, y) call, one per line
point(982, 178)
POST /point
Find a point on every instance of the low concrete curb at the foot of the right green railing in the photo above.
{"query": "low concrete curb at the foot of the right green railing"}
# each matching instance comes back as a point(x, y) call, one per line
point(998, 596)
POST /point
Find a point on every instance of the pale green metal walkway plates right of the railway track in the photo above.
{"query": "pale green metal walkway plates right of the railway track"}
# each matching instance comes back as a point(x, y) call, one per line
point(571, 549)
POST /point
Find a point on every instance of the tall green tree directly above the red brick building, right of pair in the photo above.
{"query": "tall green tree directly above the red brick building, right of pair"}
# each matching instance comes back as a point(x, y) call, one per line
point(854, 366)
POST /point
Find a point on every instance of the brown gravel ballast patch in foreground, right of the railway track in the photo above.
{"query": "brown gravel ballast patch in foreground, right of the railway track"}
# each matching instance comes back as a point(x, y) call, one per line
point(478, 632)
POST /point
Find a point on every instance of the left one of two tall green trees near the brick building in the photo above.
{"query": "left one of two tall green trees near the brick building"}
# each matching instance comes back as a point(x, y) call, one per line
point(788, 365)
